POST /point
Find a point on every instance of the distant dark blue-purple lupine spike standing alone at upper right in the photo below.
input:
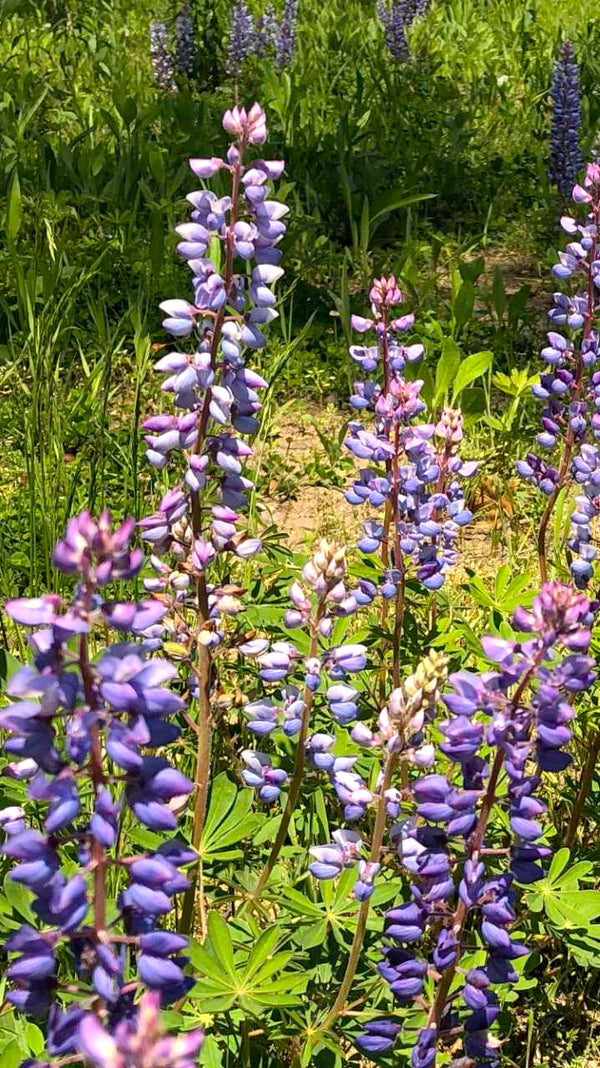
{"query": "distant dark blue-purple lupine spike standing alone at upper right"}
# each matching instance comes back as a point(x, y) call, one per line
point(565, 154)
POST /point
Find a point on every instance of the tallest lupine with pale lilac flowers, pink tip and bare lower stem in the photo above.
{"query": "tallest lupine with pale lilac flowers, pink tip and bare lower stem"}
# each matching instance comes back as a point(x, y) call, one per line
point(216, 398)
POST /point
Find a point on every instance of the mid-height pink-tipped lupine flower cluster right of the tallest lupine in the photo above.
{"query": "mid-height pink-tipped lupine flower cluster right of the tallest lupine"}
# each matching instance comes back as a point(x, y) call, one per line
point(416, 472)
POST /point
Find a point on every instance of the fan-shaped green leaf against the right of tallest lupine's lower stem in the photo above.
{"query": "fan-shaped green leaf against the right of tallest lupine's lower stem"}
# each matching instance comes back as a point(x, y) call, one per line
point(230, 821)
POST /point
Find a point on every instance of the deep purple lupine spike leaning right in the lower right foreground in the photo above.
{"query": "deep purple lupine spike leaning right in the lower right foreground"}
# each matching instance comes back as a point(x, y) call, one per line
point(523, 712)
